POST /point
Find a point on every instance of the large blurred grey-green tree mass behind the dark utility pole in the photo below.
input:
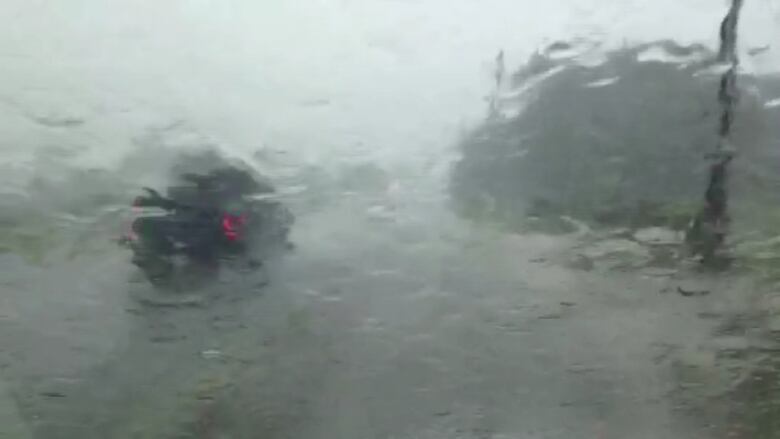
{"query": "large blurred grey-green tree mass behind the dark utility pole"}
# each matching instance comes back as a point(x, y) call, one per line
point(619, 142)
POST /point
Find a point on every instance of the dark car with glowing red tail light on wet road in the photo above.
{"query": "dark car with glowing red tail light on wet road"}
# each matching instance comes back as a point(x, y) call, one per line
point(204, 220)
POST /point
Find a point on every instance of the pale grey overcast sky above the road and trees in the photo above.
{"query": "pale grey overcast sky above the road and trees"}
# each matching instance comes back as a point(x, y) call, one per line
point(385, 77)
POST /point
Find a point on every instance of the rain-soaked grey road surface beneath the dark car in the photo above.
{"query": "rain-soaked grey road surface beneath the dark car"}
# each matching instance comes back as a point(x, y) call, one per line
point(388, 321)
